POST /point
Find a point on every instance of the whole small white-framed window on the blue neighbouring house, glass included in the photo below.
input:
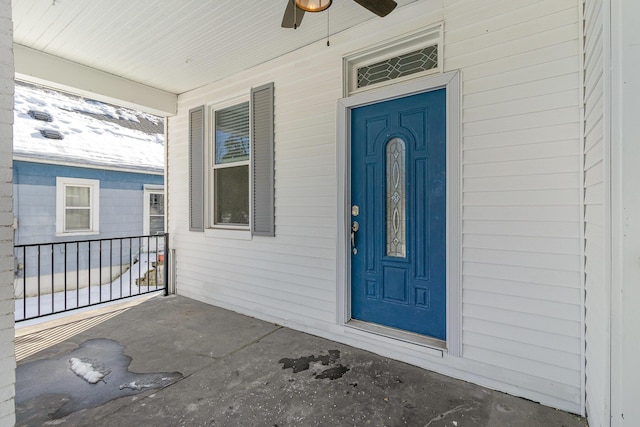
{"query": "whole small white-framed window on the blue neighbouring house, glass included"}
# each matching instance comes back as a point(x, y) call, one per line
point(77, 206)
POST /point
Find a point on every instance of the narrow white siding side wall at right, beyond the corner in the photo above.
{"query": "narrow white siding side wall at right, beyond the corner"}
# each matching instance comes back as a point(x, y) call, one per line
point(597, 285)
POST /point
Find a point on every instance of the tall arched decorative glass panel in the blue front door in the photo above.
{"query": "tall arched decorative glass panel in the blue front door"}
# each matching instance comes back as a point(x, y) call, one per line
point(396, 218)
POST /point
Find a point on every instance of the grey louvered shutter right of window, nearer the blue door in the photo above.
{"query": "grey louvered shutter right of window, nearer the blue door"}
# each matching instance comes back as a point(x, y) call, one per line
point(262, 160)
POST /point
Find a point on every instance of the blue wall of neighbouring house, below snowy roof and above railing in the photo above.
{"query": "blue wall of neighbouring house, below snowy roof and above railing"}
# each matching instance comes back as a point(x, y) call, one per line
point(121, 201)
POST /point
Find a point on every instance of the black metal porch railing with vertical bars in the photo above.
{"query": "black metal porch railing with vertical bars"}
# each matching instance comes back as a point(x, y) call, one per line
point(55, 277)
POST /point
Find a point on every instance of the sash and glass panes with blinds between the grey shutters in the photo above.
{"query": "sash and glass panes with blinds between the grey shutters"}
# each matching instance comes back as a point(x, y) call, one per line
point(231, 166)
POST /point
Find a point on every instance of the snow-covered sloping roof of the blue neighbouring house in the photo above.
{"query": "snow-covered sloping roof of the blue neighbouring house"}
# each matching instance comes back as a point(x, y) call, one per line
point(93, 133)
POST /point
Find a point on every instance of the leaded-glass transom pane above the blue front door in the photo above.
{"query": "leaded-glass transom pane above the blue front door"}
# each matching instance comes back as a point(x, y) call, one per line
point(399, 66)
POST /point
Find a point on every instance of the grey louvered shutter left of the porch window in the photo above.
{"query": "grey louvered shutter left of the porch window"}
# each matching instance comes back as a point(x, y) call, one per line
point(196, 169)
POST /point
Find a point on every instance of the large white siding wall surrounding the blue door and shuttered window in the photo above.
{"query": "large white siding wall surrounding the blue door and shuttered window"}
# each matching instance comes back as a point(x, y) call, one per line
point(522, 326)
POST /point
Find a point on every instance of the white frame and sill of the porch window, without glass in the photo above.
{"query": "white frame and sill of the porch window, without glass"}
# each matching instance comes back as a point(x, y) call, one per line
point(212, 229)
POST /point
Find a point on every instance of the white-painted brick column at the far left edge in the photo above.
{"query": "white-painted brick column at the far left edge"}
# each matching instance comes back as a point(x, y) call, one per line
point(7, 354)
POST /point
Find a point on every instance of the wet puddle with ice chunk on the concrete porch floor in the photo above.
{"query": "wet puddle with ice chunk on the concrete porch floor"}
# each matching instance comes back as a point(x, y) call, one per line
point(52, 387)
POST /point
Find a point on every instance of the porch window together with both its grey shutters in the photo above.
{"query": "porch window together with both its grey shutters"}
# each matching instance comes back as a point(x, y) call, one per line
point(240, 165)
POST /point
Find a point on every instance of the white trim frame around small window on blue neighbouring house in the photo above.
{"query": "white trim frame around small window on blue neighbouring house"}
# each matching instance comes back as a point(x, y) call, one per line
point(94, 185)
